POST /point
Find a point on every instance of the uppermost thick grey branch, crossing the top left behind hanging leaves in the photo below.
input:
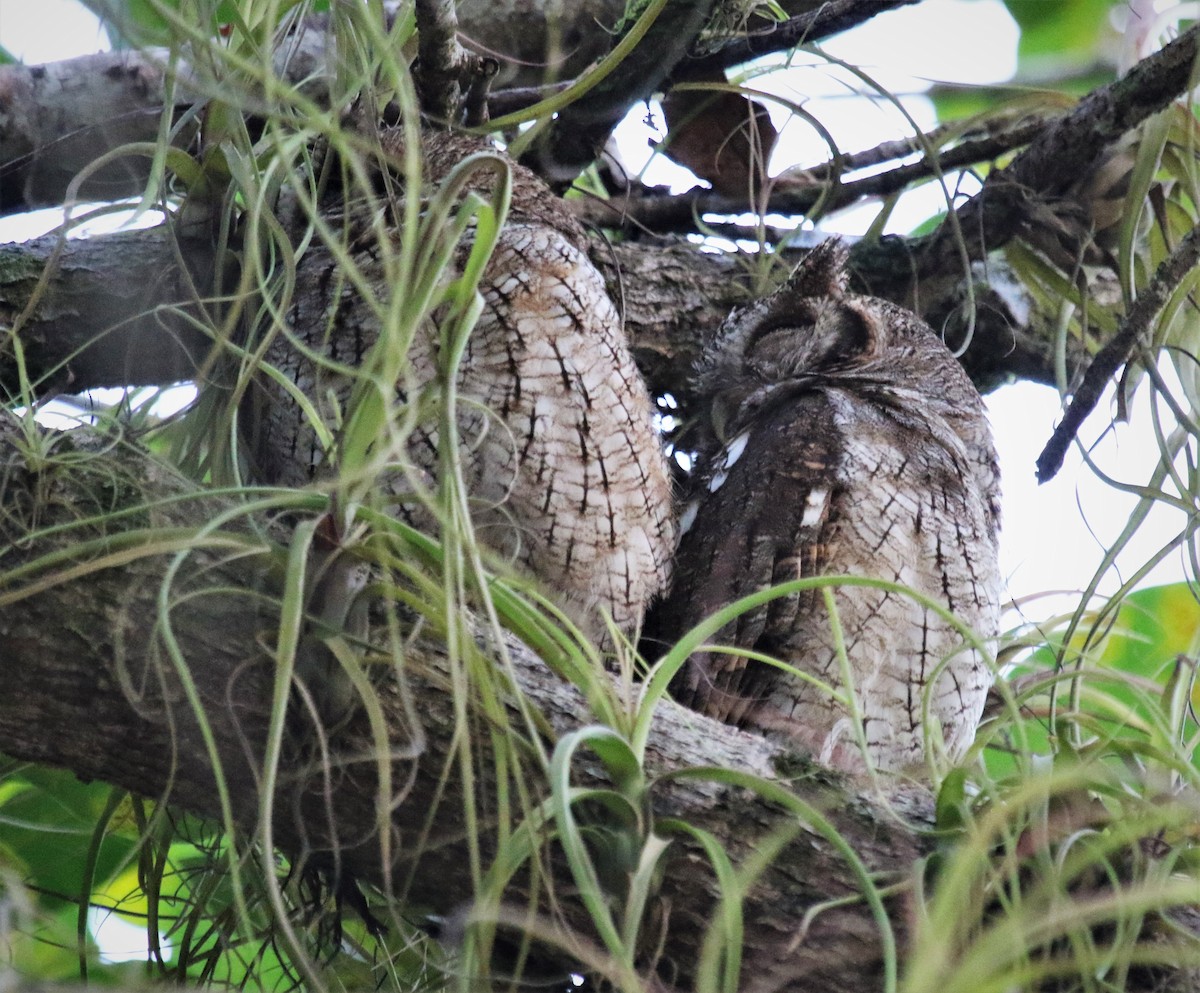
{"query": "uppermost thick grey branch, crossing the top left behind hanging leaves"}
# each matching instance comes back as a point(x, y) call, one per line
point(58, 118)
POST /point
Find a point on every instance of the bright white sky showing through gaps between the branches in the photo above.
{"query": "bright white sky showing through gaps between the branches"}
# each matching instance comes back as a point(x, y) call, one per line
point(1048, 544)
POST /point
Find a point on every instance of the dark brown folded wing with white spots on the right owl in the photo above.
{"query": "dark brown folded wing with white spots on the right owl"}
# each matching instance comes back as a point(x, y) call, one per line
point(760, 515)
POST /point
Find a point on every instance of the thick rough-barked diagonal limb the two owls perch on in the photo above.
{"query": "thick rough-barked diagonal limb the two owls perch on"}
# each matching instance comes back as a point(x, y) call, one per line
point(89, 687)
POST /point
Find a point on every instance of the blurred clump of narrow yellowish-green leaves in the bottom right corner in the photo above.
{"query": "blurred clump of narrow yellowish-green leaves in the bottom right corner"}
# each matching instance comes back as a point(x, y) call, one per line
point(969, 937)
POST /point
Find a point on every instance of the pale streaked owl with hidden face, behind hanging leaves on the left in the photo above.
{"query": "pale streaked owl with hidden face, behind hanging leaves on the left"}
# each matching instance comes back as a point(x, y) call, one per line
point(565, 471)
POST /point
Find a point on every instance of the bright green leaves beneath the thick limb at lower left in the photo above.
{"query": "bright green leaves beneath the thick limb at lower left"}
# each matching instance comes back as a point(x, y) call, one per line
point(74, 852)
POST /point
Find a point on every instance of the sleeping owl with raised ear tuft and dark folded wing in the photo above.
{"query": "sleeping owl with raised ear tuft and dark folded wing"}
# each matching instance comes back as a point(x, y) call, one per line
point(849, 443)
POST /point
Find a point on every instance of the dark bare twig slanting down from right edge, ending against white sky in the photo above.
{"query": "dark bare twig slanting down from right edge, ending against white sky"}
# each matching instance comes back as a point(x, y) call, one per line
point(1133, 333)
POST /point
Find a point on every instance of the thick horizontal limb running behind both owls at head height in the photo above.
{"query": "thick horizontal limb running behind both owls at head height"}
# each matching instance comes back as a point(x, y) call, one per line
point(121, 310)
